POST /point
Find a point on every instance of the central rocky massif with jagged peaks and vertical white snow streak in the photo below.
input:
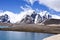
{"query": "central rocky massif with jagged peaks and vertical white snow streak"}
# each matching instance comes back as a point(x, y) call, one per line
point(36, 17)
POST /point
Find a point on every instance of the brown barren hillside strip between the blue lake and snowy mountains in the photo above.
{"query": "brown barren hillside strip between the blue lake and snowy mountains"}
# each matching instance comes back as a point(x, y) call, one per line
point(31, 28)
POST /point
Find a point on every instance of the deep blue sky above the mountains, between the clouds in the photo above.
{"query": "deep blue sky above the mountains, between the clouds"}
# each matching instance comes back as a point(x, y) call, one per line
point(15, 6)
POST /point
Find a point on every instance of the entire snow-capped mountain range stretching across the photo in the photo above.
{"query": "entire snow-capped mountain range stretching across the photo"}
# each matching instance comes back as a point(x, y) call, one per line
point(27, 17)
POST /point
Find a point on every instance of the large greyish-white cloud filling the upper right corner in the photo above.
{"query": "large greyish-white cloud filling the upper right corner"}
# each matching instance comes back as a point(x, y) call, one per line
point(54, 4)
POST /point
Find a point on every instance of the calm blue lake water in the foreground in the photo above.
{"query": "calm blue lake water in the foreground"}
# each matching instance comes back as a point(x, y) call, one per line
point(12, 35)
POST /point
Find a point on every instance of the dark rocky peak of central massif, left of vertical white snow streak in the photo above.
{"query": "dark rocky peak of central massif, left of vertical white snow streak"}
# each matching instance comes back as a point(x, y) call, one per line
point(29, 18)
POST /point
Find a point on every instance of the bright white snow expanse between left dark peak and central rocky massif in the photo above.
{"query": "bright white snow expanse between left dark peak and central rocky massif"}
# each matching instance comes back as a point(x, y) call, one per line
point(16, 17)
